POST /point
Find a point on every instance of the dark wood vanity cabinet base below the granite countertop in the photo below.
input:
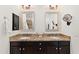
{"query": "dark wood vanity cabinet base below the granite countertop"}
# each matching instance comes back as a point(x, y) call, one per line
point(40, 47)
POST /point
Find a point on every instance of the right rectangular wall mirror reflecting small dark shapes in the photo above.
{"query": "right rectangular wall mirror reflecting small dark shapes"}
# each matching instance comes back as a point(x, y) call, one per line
point(51, 19)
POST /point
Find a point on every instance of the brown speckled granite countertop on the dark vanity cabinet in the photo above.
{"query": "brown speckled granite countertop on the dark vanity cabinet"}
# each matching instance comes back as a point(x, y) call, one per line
point(40, 37)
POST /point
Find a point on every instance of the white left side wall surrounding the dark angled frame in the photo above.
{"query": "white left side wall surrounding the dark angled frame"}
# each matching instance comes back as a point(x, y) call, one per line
point(6, 29)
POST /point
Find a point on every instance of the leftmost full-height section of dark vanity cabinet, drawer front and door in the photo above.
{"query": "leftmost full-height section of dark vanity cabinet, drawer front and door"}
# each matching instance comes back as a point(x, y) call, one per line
point(15, 47)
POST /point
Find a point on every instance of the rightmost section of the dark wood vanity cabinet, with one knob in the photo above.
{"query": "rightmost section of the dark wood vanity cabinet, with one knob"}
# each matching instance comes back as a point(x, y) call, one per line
point(64, 47)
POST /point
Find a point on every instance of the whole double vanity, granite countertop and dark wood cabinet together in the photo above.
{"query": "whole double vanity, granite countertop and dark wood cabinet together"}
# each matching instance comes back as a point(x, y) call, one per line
point(40, 44)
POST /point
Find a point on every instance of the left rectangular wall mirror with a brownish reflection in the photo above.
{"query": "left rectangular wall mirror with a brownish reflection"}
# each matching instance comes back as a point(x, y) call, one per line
point(28, 21)
